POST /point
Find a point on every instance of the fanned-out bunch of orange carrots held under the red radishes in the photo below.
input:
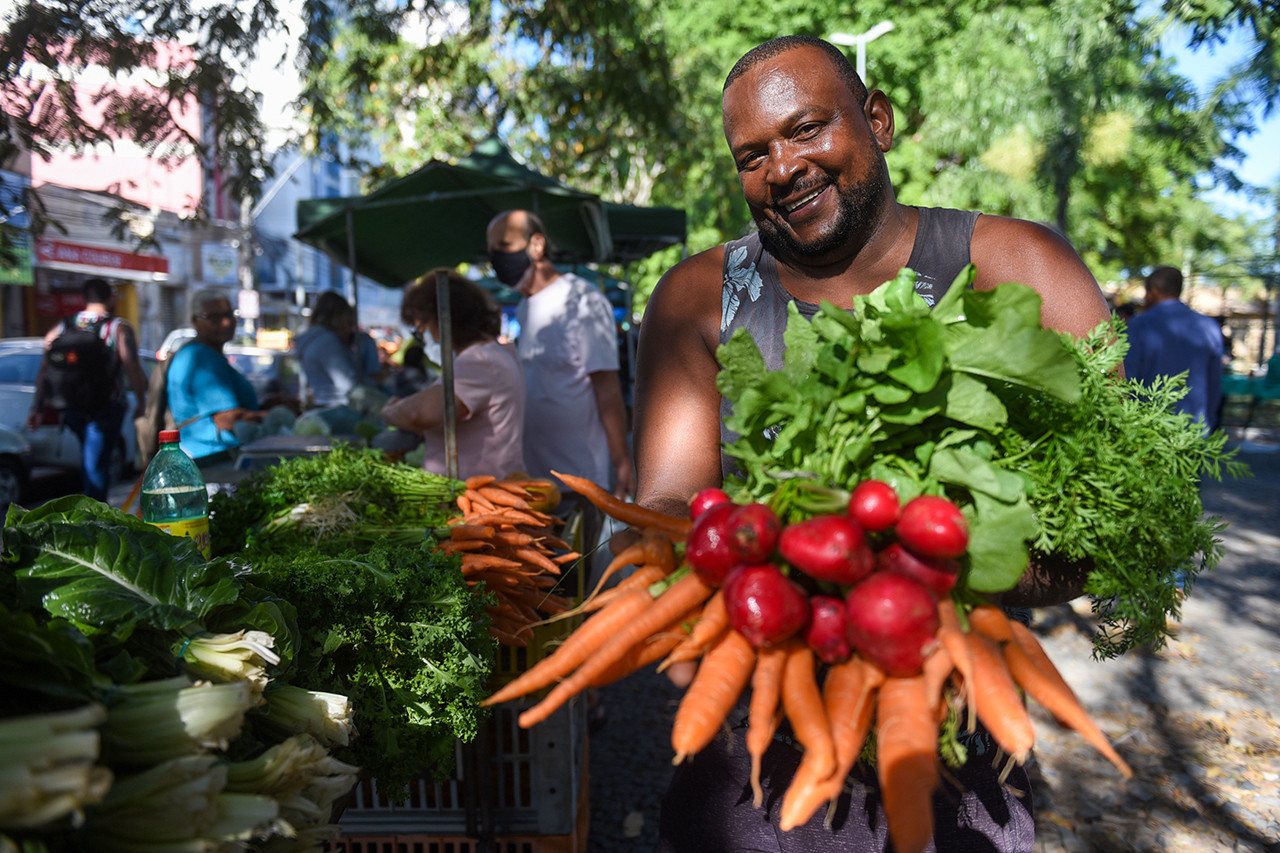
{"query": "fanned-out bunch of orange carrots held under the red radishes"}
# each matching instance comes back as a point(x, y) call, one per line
point(980, 664)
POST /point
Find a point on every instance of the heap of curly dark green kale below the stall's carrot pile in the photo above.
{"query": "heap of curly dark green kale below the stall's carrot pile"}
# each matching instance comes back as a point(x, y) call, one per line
point(397, 630)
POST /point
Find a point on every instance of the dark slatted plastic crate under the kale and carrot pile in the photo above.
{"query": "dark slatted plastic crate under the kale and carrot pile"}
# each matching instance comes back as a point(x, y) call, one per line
point(516, 782)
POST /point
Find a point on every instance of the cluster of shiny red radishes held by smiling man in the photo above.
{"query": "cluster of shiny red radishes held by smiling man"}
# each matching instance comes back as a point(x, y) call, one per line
point(866, 581)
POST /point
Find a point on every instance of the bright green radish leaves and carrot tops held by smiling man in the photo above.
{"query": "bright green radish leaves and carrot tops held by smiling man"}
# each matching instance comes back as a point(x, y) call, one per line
point(975, 400)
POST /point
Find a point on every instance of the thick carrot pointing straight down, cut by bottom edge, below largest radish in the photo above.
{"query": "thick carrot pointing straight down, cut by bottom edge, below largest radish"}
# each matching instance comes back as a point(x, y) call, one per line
point(907, 743)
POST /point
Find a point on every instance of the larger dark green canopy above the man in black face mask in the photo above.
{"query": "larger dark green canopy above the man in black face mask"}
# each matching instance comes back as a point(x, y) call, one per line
point(438, 216)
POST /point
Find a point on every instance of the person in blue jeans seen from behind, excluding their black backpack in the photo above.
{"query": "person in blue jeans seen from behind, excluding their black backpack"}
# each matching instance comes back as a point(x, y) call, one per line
point(98, 427)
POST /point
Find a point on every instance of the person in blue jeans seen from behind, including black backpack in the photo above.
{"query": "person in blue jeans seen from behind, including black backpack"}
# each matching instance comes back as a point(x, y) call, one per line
point(88, 361)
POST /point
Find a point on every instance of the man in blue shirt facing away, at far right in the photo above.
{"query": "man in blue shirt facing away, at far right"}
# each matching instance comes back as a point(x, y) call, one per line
point(1169, 339)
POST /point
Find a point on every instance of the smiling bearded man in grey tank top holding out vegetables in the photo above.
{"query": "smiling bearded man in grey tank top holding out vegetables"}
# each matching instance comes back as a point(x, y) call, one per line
point(808, 142)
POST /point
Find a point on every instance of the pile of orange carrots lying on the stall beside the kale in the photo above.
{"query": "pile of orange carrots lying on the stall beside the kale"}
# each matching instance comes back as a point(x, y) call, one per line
point(508, 541)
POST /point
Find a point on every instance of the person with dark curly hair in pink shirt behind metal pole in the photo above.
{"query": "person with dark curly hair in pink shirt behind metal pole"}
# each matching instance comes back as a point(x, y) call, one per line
point(488, 384)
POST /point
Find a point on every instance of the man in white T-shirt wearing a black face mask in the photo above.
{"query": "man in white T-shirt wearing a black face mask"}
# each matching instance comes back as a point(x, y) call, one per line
point(575, 419)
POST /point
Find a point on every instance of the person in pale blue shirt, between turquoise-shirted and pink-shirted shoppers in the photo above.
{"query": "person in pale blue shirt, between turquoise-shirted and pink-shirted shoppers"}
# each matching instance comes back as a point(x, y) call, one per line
point(327, 353)
